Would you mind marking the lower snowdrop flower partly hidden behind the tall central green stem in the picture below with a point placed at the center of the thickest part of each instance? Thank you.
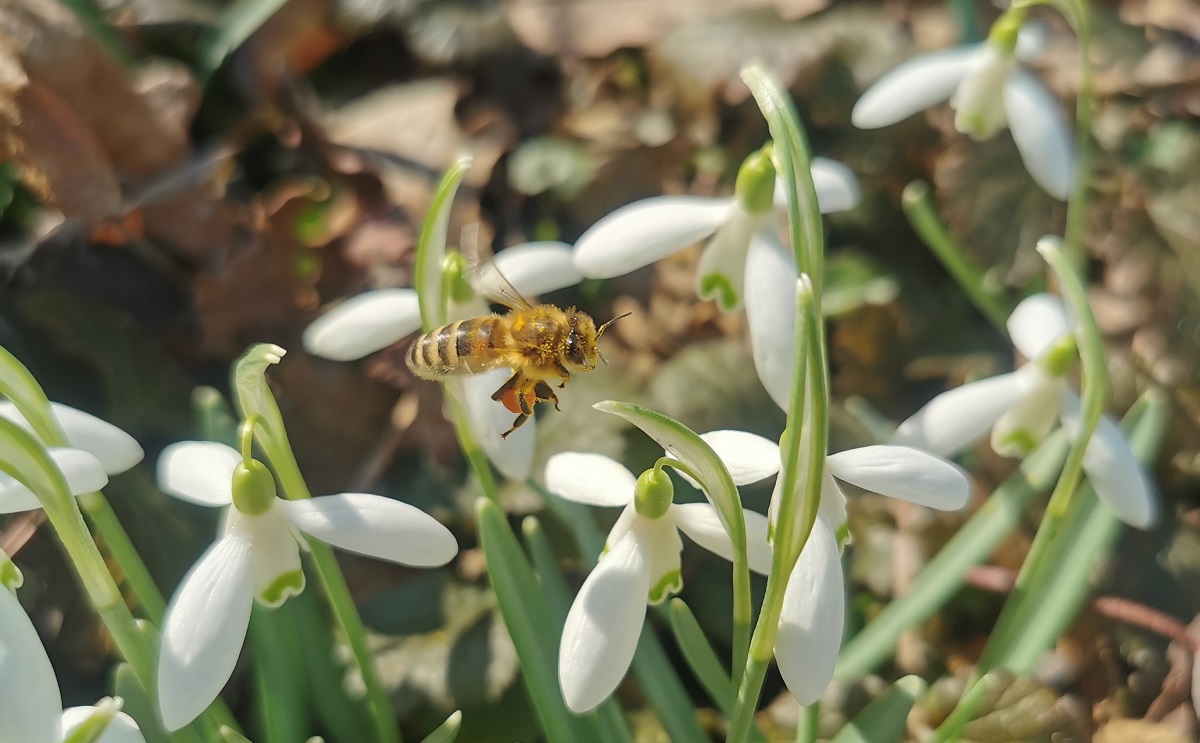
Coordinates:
(814, 602)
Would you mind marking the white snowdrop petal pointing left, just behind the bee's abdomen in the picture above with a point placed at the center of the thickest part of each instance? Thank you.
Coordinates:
(364, 325)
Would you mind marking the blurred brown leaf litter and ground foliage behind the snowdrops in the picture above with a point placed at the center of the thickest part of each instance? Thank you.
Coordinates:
(183, 178)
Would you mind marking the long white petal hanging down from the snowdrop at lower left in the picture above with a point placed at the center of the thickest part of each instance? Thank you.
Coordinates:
(203, 632)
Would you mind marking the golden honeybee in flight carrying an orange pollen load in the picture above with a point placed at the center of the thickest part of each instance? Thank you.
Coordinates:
(542, 344)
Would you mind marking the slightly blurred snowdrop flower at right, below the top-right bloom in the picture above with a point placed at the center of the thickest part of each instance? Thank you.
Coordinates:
(1022, 409)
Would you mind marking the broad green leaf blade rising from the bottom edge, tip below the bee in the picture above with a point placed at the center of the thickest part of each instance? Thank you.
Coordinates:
(529, 620)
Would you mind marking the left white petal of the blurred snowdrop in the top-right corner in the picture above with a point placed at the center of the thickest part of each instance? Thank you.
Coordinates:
(915, 86)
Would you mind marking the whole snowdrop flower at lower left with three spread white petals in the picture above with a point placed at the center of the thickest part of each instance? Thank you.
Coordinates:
(259, 559)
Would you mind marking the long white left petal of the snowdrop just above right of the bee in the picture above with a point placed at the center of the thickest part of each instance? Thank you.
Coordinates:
(644, 232)
